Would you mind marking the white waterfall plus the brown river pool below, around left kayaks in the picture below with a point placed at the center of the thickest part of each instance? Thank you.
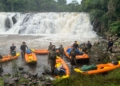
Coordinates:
(38, 29)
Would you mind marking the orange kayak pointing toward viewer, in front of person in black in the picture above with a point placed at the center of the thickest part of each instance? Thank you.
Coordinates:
(30, 58)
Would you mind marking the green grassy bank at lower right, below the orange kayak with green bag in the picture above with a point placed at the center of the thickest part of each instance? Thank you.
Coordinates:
(110, 79)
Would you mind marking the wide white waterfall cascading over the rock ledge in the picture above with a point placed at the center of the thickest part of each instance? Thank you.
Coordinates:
(55, 27)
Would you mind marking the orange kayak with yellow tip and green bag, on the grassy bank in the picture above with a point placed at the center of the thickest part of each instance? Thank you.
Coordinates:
(101, 68)
